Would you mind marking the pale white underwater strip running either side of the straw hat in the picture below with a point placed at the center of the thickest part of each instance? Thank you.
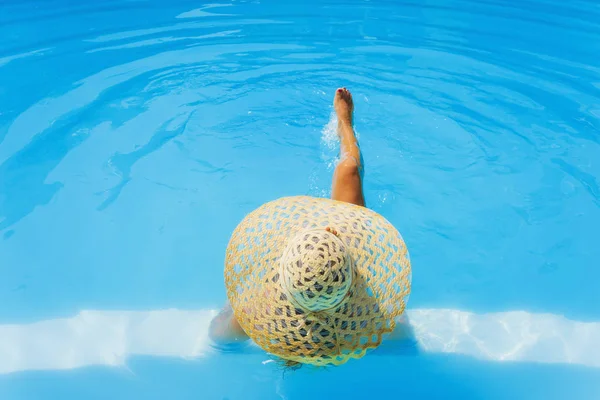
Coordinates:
(110, 337)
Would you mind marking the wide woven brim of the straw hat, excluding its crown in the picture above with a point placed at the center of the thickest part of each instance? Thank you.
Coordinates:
(379, 293)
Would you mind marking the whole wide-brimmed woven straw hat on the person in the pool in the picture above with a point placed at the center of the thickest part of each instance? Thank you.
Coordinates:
(306, 294)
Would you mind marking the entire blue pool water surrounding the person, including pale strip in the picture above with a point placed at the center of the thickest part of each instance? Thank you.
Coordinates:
(135, 134)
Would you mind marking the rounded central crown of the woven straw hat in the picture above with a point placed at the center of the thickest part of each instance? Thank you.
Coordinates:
(316, 270)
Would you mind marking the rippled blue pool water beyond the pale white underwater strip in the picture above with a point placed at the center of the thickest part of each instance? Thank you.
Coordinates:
(479, 122)
